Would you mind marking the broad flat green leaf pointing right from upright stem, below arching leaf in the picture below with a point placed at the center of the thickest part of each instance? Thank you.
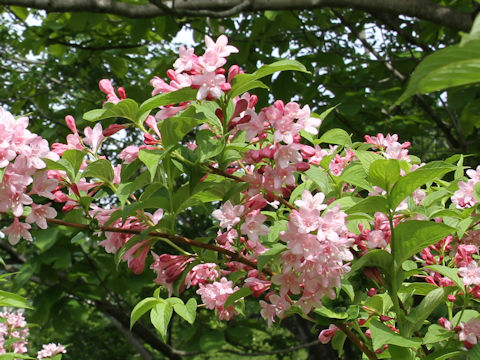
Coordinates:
(412, 236)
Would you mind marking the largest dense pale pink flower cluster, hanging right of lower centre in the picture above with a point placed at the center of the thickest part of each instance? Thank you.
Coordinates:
(318, 246)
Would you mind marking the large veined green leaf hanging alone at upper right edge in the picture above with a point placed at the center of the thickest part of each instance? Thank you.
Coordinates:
(446, 68)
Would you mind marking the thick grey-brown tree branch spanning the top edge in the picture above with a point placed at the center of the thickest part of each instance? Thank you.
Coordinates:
(422, 9)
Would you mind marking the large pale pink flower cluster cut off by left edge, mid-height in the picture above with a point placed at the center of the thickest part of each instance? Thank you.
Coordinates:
(21, 154)
